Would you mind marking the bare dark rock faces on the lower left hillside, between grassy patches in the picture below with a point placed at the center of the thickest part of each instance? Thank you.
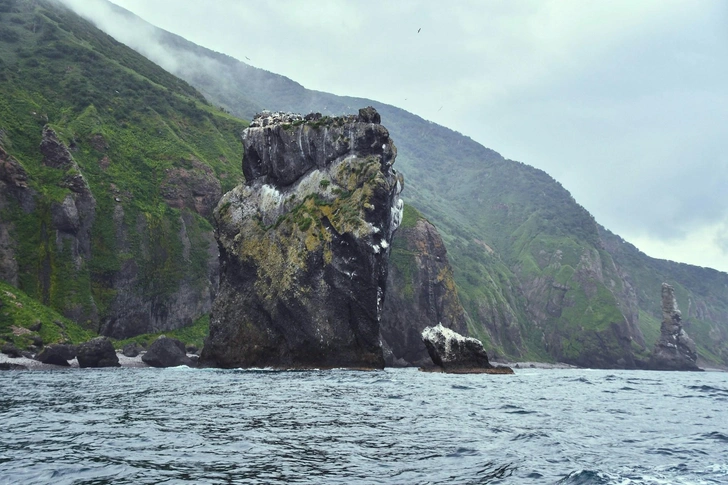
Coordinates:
(64, 236)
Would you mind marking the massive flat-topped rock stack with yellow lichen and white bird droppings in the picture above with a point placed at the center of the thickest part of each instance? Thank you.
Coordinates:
(304, 245)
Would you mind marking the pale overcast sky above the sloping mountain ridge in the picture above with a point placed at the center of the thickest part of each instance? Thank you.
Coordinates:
(624, 102)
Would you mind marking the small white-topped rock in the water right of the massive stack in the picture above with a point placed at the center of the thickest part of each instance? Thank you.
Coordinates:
(457, 354)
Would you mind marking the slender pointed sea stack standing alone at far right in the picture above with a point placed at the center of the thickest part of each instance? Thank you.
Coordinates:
(674, 350)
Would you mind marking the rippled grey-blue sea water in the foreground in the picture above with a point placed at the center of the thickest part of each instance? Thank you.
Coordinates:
(398, 426)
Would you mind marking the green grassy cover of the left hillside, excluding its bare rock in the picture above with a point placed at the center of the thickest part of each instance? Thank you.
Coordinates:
(107, 103)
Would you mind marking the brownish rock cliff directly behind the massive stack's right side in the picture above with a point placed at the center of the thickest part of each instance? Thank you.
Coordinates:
(421, 292)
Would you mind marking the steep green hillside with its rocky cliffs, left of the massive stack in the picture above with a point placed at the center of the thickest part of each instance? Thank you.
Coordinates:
(119, 238)
